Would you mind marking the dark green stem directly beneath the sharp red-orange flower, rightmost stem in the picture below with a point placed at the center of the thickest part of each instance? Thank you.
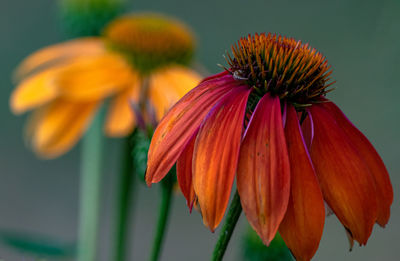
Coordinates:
(227, 230)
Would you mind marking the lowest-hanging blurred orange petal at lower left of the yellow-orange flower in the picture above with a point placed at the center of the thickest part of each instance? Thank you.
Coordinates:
(59, 126)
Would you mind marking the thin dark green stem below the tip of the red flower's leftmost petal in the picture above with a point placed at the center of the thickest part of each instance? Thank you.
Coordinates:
(166, 198)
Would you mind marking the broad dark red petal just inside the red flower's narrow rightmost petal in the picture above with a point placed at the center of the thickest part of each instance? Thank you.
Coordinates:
(345, 180)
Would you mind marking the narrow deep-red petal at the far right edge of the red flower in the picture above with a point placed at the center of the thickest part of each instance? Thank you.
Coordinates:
(384, 190)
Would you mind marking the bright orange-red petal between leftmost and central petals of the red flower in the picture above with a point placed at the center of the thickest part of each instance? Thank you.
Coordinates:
(216, 154)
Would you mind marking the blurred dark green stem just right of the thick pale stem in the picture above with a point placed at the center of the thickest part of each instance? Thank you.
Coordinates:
(124, 202)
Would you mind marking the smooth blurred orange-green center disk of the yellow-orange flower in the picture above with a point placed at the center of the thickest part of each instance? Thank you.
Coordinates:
(150, 41)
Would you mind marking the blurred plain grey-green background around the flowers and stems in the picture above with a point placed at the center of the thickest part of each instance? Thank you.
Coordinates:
(361, 40)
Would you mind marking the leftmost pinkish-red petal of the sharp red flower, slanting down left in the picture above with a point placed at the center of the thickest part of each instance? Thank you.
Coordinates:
(179, 124)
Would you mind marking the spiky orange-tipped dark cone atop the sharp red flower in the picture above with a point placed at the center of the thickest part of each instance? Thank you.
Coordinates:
(281, 66)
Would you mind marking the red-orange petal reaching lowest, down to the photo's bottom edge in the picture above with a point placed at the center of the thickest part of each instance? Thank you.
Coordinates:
(302, 226)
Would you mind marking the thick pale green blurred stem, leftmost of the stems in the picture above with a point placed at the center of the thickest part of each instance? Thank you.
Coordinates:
(90, 188)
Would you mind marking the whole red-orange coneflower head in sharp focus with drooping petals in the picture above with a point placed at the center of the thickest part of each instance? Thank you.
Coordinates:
(266, 118)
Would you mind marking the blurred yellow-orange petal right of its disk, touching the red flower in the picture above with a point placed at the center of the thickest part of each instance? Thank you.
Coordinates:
(167, 86)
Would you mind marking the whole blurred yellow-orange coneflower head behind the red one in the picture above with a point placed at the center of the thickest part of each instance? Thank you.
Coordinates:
(139, 56)
